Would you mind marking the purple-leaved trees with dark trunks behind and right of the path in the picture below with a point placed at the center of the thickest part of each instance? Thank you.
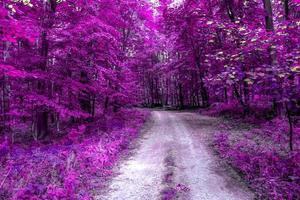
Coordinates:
(221, 51)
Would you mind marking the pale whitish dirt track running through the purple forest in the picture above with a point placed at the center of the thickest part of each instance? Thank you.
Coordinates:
(174, 162)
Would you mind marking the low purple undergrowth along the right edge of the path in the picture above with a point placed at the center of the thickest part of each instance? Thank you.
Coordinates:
(259, 152)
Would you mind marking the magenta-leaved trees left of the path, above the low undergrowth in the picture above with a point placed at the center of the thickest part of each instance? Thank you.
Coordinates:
(66, 62)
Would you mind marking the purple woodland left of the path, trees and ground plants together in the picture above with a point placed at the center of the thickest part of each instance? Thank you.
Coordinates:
(66, 84)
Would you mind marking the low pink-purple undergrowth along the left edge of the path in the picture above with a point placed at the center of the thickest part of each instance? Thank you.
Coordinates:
(60, 171)
